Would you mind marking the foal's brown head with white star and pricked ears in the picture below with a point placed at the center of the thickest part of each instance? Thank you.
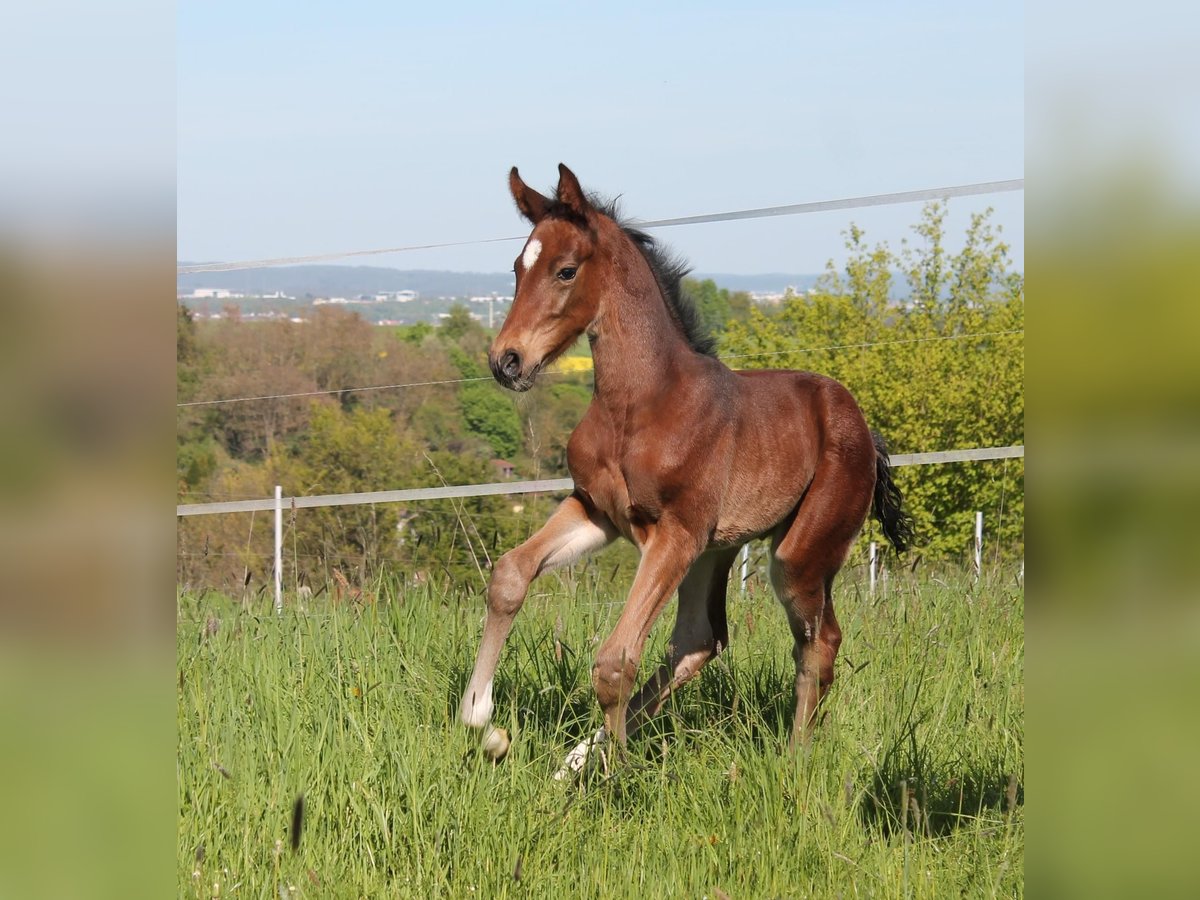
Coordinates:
(553, 305)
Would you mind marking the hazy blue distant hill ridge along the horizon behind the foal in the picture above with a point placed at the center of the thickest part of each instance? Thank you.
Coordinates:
(302, 281)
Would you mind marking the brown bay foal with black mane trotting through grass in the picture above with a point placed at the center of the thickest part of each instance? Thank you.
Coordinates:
(680, 455)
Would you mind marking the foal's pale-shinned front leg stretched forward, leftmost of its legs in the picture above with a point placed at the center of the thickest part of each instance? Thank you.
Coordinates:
(575, 529)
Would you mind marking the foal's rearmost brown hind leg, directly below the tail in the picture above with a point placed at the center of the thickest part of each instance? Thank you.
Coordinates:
(806, 559)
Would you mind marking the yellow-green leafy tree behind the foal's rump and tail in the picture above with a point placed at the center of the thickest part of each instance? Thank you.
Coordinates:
(943, 369)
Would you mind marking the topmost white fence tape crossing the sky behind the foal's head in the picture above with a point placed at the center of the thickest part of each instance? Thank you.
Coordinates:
(880, 200)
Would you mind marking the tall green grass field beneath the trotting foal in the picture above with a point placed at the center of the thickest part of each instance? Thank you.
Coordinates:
(911, 789)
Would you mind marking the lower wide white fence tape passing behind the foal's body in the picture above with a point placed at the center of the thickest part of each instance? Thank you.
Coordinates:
(541, 487)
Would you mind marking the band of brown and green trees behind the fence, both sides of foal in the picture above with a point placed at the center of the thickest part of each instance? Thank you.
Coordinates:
(941, 369)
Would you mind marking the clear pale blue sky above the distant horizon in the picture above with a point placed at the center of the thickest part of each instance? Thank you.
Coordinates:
(314, 128)
